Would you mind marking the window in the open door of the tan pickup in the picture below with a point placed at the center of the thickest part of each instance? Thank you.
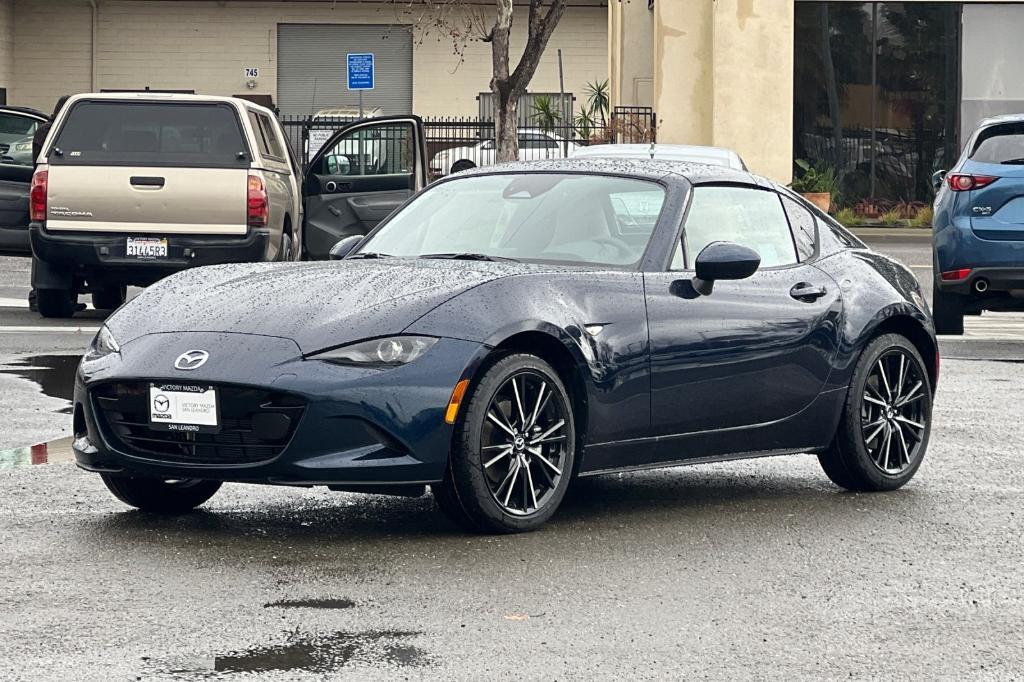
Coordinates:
(377, 150)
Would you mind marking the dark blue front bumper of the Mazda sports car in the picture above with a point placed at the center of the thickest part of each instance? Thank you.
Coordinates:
(356, 428)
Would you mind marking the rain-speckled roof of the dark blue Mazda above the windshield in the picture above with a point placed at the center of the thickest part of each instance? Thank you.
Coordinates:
(656, 169)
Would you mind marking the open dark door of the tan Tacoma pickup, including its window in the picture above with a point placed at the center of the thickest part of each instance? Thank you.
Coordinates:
(360, 177)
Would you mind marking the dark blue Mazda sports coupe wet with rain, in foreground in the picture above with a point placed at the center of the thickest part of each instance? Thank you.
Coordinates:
(511, 329)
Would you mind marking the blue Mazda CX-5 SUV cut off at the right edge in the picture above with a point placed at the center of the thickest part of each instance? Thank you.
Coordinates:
(979, 227)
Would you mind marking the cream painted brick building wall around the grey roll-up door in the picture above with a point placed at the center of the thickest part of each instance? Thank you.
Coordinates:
(206, 46)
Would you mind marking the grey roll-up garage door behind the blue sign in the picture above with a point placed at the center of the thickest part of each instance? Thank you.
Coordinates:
(312, 67)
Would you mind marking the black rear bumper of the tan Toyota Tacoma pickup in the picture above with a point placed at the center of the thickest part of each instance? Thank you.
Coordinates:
(101, 257)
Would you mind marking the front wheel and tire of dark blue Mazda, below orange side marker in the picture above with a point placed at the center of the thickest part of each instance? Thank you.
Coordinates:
(483, 489)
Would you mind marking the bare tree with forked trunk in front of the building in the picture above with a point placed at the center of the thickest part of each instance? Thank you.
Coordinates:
(464, 21)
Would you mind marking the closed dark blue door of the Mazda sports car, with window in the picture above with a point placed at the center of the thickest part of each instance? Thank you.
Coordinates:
(752, 353)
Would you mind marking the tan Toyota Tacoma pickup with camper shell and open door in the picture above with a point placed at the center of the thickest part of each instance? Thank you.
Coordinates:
(133, 188)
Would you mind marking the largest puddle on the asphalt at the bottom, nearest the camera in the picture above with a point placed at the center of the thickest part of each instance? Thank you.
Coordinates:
(325, 654)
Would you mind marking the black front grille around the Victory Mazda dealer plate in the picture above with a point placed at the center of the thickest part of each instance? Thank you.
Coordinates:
(255, 425)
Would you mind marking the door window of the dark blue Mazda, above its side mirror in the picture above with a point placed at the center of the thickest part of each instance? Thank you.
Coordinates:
(745, 216)
